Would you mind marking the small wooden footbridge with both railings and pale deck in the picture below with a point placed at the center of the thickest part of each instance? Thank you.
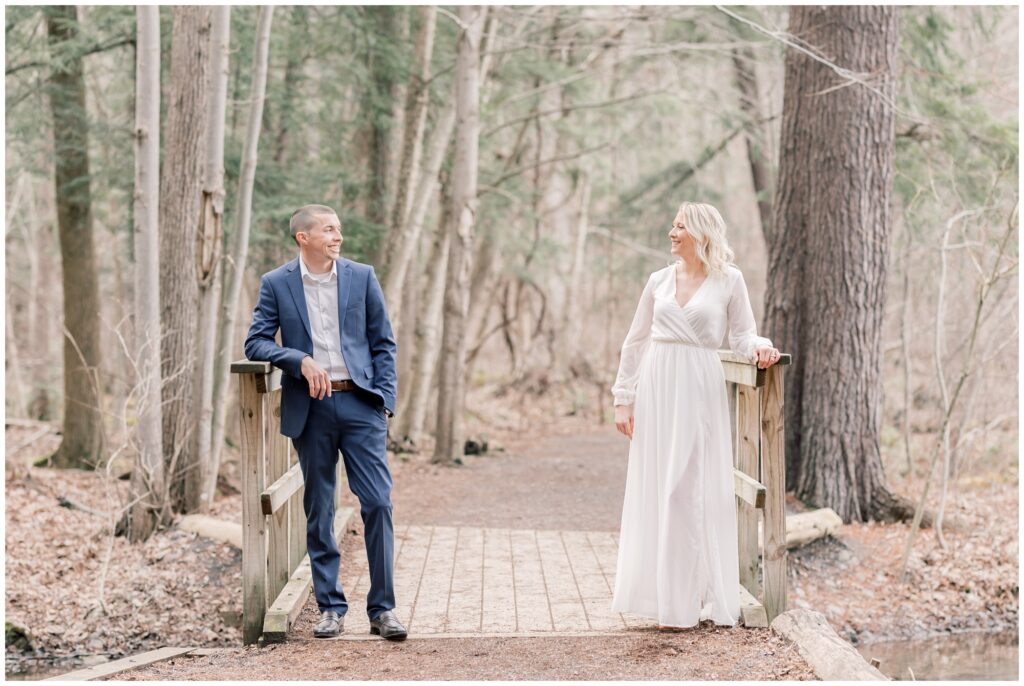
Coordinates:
(494, 582)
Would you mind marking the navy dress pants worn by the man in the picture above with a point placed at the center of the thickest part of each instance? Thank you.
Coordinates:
(356, 424)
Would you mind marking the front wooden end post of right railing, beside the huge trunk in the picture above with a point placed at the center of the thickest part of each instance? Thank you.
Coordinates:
(774, 478)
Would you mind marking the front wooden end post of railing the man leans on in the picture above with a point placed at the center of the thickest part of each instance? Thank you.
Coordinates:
(251, 410)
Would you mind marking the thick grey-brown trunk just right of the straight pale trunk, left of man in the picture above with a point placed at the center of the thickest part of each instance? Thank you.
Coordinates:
(181, 195)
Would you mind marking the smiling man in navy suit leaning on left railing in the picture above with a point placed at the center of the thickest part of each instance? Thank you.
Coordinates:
(338, 389)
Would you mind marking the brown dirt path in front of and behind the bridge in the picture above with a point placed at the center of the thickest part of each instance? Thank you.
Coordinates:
(558, 483)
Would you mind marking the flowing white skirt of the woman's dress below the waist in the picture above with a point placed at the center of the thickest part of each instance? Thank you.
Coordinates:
(678, 561)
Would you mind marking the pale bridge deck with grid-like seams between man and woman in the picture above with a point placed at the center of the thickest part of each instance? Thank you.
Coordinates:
(495, 582)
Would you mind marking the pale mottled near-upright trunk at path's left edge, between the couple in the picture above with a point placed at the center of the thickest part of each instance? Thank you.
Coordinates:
(461, 225)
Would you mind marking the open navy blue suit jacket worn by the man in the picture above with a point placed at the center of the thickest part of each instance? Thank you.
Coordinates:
(368, 345)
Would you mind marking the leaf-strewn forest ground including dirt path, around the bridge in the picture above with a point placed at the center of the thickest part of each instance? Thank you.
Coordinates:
(82, 596)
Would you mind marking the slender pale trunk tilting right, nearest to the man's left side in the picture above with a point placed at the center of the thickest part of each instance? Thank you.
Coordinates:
(240, 250)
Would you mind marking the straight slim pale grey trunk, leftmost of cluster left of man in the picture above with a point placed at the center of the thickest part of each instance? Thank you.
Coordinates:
(149, 486)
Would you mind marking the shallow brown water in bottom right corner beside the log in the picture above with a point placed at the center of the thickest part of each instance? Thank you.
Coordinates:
(972, 657)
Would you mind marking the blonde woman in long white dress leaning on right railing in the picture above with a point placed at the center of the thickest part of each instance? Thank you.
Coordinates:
(677, 550)
